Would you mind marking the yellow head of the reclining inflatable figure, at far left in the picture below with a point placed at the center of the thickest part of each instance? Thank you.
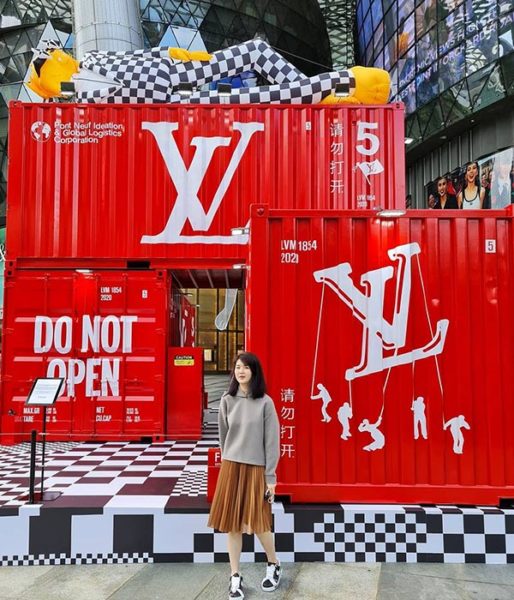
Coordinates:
(58, 67)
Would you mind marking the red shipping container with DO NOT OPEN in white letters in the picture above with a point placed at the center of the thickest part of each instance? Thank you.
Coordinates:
(105, 333)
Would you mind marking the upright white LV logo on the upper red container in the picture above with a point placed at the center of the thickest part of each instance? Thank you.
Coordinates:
(187, 182)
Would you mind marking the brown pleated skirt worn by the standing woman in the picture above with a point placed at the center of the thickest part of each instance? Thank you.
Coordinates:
(239, 504)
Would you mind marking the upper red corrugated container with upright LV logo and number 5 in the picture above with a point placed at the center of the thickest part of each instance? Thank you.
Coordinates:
(93, 181)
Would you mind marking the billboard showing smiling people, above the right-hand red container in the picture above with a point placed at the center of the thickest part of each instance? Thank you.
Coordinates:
(484, 183)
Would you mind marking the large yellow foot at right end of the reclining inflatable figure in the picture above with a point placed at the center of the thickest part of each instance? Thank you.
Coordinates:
(372, 86)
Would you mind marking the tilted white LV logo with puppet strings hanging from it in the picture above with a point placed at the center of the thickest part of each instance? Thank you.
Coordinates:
(379, 334)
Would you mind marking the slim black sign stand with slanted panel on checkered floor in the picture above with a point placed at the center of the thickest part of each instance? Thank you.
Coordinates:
(44, 392)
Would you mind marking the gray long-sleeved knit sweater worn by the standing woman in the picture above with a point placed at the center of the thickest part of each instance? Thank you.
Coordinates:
(249, 431)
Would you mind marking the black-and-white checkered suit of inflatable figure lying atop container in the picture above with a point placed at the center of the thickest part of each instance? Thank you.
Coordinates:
(151, 76)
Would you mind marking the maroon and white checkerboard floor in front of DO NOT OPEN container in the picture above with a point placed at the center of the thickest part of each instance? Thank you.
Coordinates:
(113, 474)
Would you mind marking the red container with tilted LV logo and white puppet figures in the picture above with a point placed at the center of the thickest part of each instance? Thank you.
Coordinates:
(387, 345)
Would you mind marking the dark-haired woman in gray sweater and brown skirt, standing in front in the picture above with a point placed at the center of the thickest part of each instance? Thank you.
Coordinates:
(249, 440)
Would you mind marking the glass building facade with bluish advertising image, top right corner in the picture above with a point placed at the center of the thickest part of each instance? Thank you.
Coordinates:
(448, 59)
